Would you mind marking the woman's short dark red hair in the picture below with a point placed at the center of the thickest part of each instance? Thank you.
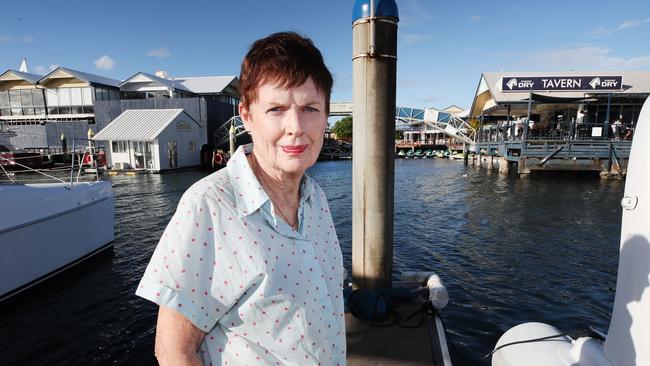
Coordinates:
(286, 58)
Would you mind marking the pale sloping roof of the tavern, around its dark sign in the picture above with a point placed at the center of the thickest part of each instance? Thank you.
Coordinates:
(636, 81)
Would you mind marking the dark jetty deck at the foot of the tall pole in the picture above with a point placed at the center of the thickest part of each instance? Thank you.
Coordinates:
(368, 344)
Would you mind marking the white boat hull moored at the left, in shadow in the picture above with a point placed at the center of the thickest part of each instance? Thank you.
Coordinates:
(46, 228)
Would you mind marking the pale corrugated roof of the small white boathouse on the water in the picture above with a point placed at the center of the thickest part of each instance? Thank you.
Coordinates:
(139, 124)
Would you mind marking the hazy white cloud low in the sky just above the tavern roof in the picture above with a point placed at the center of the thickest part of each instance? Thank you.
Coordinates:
(585, 58)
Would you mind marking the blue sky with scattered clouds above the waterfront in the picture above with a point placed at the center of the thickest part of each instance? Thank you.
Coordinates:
(443, 46)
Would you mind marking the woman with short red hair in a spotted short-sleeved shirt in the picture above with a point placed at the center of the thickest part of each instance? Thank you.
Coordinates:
(249, 269)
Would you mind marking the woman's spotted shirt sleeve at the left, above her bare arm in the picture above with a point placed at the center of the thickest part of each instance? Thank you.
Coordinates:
(182, 274)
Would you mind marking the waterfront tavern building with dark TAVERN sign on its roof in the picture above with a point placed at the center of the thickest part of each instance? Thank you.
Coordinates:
(584, 100)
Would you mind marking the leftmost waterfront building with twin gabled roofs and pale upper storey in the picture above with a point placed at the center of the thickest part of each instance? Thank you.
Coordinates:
(40, 109)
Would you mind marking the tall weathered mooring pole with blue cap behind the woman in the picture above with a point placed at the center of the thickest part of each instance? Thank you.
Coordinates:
(374, 65)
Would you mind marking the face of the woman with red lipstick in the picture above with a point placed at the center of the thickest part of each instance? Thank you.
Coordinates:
(287, 127)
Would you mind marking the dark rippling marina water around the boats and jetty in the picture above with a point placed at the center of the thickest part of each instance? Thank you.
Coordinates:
(510, 251)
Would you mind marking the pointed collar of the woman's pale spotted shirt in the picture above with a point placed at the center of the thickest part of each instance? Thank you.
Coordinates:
(248, 192)
